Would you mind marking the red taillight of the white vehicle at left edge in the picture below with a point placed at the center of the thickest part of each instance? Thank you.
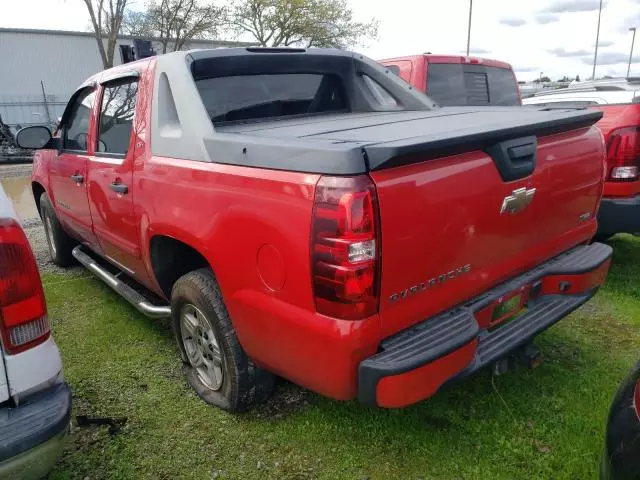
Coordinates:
(23, 311)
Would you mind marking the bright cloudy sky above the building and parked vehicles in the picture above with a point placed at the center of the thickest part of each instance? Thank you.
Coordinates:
(553, 37)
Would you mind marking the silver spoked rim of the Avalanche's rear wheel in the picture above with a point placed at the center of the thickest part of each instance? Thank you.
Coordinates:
(201, 346)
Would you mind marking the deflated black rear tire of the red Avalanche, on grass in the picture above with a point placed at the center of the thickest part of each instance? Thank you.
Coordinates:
(243, 383)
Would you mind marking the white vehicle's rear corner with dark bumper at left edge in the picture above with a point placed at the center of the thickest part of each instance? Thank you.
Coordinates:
(35, 402)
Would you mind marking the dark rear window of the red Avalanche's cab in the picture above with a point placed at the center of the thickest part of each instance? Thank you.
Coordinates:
(252, 97)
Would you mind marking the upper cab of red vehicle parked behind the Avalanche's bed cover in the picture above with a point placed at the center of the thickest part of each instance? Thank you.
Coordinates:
(453, 80)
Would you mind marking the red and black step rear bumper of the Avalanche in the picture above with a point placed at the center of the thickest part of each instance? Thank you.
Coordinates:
(413, 364)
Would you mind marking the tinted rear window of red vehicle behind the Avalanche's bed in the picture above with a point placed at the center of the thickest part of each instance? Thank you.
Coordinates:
(460, 84)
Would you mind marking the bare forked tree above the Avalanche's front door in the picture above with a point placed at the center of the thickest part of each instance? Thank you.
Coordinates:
(106, 20)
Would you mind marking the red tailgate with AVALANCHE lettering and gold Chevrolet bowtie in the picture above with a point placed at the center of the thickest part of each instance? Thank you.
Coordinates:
(445, 237)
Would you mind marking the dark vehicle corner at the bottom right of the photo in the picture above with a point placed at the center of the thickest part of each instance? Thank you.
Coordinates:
(621, 460)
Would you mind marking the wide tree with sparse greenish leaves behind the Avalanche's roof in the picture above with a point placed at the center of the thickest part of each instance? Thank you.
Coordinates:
(308, 23)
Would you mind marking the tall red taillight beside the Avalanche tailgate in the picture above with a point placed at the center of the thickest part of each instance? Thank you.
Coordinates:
(345, 247)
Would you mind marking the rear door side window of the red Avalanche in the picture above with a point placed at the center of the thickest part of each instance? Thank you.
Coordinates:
(116, 116)
